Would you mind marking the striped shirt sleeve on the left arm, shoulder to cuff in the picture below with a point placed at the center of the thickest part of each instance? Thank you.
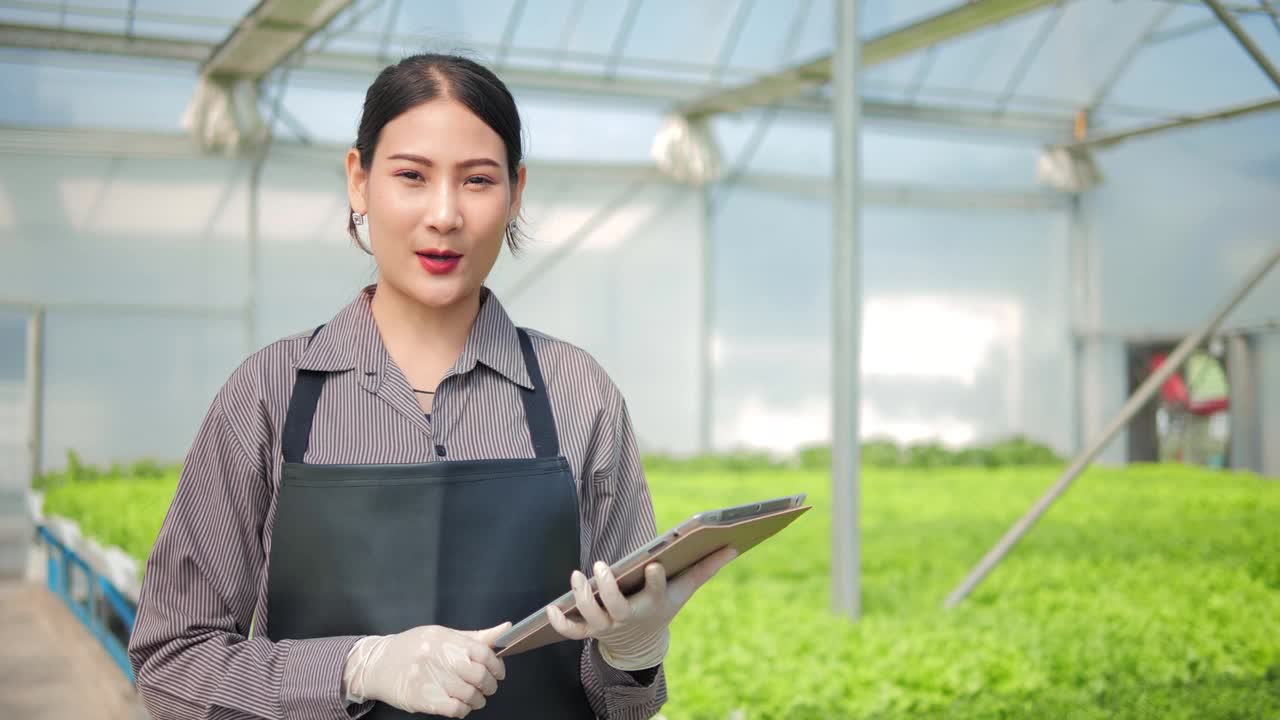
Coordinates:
(190, 653)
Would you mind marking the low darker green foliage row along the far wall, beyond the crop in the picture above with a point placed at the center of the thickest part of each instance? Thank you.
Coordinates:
(1016, 452)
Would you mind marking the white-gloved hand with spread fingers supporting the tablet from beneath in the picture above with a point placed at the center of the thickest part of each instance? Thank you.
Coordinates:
(632, 631)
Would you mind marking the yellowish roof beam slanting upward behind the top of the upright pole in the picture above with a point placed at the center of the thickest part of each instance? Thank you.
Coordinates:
(775, 88)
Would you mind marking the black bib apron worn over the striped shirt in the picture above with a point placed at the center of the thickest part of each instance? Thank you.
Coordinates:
(468, 545)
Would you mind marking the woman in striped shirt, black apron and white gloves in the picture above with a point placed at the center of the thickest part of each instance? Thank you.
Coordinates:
(369, 505)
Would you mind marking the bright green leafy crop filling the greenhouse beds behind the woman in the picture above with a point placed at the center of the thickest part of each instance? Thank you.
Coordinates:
(1145, 593)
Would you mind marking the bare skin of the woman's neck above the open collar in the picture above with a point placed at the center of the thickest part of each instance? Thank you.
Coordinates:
(423, 340)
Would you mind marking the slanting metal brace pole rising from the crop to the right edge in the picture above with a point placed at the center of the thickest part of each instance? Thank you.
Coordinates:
(1140, 398)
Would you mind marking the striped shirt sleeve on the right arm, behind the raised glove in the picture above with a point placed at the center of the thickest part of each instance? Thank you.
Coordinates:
(620, 517)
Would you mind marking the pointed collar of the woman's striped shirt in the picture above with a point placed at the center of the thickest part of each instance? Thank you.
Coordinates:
(351, 341)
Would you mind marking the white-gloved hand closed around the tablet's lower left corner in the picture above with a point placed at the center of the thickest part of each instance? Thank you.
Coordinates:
(427, 669)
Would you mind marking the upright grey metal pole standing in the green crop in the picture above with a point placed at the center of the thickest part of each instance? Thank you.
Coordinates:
(847, 315)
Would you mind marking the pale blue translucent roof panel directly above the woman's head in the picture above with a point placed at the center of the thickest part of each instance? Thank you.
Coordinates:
(637, 39)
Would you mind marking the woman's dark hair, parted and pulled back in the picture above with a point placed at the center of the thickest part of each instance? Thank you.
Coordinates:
(422, 79)
